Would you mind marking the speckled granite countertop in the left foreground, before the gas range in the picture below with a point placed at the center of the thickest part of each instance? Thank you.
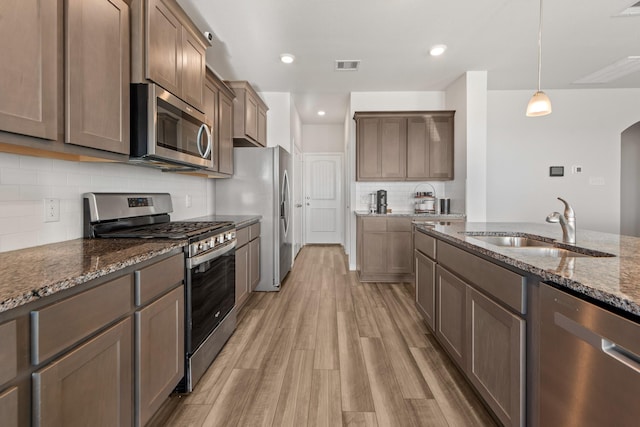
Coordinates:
(27, 275)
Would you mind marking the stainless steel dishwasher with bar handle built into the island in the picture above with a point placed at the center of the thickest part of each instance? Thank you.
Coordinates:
(589, 364)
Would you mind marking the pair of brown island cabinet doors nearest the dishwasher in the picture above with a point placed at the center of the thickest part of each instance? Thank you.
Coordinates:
(486, 341)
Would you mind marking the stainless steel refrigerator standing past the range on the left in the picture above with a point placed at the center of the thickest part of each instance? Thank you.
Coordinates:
(260, 186)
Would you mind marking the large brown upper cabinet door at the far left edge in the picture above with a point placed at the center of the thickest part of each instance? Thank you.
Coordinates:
(29, 67)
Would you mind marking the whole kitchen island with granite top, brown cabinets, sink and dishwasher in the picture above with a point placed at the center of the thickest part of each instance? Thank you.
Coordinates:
(533, 322)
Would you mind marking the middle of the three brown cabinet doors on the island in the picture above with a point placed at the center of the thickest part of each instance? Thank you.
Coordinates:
(450, 312)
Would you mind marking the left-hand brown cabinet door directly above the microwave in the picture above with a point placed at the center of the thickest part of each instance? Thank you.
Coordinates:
(164, 47)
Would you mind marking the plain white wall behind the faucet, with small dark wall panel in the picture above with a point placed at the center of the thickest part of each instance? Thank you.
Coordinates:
(584, 129)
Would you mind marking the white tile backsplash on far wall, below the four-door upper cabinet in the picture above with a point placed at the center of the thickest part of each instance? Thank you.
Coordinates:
(400, 195)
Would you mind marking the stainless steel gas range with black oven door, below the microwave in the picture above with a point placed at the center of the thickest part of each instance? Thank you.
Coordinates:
(210, 318)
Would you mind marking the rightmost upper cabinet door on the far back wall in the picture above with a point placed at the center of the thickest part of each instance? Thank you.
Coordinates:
(441, 147)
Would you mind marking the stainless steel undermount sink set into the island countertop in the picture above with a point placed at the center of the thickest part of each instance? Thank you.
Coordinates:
(534, 245)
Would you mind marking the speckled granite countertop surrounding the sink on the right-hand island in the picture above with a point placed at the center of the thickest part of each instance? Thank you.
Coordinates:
(614, 281)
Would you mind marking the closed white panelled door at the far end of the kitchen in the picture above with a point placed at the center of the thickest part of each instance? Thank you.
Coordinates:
(323, 202)
